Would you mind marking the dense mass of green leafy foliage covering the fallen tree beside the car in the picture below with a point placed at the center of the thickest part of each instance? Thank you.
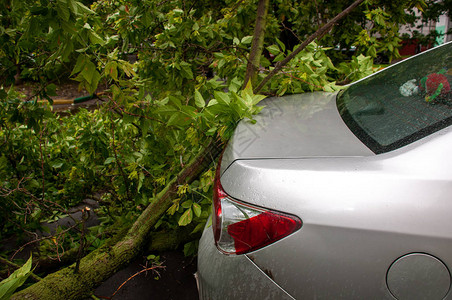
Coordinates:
(185, 87)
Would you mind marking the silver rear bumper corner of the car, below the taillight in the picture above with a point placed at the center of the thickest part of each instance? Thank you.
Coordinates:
(221, 276)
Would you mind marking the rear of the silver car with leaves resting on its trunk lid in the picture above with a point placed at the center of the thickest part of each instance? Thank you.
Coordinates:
(339, 196)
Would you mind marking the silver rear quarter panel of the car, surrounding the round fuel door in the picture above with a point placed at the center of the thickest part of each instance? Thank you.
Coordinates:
(359, 211)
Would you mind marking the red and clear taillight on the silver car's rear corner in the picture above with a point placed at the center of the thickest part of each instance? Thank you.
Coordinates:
(241, 228)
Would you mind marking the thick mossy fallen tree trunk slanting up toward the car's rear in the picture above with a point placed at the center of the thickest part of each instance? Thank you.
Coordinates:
(104, 262)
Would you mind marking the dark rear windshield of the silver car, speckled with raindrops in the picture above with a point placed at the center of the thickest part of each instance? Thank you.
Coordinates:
(403, 103)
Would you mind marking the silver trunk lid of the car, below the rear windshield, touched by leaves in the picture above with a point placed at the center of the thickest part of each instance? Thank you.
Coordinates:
(296, 126)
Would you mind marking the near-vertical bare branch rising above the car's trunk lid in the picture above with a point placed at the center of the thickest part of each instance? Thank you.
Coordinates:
(257, 45)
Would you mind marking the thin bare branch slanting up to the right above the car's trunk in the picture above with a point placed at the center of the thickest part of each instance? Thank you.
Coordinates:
(327, 27)
